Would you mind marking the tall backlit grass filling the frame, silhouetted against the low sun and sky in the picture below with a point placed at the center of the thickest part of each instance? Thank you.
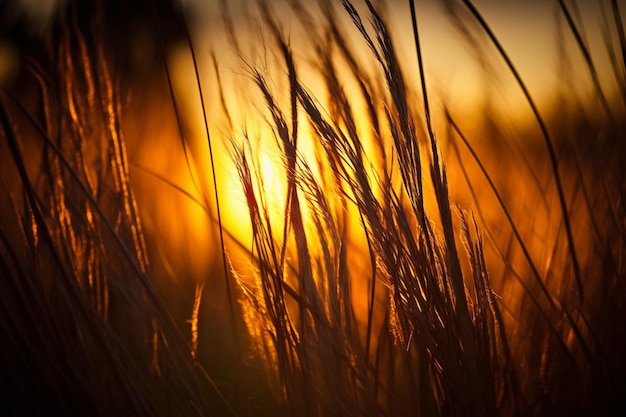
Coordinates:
(376, 287)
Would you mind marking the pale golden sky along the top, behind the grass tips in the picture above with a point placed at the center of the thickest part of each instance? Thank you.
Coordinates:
(528, 30)
